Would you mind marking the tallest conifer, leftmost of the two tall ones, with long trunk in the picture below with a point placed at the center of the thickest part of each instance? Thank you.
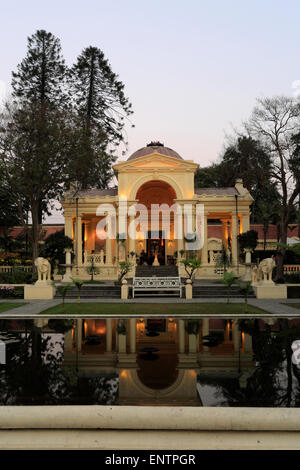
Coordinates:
(39, 85)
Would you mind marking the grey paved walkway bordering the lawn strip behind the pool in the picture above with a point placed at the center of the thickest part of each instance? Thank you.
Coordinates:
(35, 307)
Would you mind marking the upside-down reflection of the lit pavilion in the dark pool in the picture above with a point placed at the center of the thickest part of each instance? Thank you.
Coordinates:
(167, 374)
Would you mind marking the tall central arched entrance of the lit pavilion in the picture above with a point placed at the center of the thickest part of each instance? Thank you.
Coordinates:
(158, 240)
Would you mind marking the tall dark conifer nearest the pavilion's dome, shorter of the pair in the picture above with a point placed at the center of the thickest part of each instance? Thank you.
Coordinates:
(99, 100)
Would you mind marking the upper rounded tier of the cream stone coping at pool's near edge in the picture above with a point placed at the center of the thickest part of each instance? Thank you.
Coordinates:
(150, 417)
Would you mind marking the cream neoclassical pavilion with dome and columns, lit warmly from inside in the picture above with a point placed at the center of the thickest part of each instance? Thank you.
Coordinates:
(155, 175)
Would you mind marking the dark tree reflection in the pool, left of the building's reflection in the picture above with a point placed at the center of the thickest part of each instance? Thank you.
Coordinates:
(35, 375)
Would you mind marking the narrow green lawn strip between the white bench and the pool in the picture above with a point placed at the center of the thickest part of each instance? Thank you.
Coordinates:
(155, 309)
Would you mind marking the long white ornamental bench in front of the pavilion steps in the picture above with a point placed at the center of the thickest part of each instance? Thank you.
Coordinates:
(156, 285)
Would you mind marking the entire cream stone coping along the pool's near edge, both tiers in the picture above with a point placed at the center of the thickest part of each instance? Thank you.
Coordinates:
(148, 427)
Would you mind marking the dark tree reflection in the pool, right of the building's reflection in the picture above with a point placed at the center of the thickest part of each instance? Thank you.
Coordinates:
(276, 380)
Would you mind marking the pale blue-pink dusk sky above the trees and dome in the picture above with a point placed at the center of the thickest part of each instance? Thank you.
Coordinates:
(192, 69)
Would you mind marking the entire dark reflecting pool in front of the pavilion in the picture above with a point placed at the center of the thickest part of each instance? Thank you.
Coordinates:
(150, 361)
